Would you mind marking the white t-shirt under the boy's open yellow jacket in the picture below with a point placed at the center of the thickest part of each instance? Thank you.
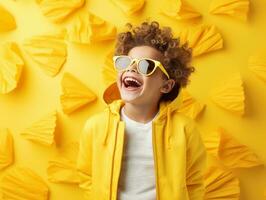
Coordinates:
(137, 178)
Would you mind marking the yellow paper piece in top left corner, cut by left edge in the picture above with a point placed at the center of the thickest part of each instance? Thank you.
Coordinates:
(7, 21)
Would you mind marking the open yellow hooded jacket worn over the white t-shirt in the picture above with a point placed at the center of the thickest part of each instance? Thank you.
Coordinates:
(179, 154)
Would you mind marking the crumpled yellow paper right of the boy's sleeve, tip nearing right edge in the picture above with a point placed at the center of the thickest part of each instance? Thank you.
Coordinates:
(229, 151)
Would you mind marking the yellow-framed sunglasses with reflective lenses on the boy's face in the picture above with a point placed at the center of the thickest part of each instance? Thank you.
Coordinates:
(145, 66)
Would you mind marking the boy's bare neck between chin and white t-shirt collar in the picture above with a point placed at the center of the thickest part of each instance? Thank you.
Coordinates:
(141, 113)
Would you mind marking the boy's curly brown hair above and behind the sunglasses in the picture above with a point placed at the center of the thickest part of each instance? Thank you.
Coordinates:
(176, 57)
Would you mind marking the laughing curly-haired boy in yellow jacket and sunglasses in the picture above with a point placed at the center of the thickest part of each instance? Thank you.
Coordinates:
(141, 147)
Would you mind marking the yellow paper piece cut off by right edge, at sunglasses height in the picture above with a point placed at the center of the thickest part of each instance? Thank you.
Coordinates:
(257, 64)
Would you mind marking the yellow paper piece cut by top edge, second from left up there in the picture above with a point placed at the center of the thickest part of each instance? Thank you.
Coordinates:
(129, 7)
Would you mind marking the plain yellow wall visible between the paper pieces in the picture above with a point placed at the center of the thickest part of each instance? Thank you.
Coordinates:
(37, 94)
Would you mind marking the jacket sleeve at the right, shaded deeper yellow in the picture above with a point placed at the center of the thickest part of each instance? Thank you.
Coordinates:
(196, 163)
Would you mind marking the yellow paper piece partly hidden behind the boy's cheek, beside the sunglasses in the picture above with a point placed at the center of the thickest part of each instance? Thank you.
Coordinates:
(108, 72)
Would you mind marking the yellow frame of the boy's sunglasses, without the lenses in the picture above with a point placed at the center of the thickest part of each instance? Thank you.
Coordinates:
(157, 64)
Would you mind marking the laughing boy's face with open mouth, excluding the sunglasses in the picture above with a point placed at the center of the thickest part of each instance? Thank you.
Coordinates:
(148, 89)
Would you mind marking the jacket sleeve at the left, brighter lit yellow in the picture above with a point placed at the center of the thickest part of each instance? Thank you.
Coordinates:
(84, 160)
